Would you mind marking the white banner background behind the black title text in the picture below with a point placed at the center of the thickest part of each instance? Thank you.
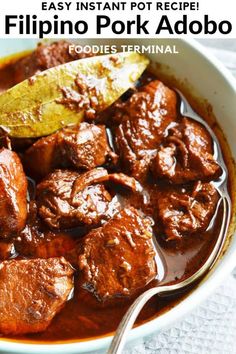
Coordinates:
(216, 10)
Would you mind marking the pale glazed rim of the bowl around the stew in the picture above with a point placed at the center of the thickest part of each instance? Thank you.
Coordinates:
(166, 319)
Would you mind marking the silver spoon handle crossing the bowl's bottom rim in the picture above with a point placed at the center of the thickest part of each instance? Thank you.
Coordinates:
(129, 318)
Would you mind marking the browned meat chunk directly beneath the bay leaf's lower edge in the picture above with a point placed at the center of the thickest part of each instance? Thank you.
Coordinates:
(83, 147)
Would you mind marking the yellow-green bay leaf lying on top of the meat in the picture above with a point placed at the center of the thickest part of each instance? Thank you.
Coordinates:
(64, 94)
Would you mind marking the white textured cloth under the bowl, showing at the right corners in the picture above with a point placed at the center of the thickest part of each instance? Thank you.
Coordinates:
(211, 328)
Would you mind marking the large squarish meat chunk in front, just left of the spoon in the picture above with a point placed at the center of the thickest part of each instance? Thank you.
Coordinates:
(118, 259)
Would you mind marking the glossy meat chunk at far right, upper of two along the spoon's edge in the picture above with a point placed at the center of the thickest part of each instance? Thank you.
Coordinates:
(187, 155)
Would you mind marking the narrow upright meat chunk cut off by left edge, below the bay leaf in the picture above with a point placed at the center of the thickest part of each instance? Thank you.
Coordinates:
(13, 193)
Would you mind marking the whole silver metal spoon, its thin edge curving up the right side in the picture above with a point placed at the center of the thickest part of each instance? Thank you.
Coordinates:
(128, 320)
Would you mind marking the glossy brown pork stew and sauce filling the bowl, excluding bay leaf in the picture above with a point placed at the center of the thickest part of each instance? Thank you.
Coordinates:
(97, 212)
